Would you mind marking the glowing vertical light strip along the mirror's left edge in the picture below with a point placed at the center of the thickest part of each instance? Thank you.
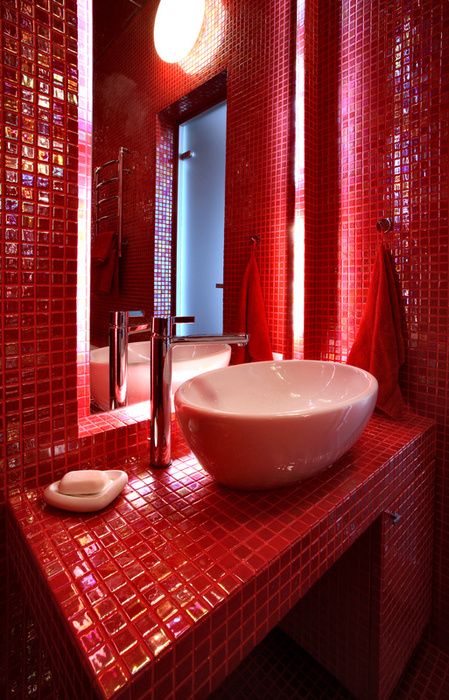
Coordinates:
(85, 57)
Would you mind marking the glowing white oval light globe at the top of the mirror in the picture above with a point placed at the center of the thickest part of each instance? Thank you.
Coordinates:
(177, 27)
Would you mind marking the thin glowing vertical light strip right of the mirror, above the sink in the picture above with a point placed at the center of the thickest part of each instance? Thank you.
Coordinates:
(298, 231)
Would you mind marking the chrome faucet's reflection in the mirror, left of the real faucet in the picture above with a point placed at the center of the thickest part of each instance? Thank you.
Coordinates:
(119, 330)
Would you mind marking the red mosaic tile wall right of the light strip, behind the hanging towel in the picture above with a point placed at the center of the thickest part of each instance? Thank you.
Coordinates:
(382, 151)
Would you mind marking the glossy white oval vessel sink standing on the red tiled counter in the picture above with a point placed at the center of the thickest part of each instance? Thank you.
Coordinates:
(267, 424)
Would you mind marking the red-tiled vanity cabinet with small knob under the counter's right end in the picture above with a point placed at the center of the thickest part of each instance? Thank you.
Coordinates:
(364, 617)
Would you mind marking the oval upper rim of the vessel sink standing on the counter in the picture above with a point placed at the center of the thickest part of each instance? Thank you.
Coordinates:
(181, 398)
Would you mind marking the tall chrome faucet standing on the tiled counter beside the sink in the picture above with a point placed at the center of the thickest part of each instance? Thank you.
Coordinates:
(163, 339)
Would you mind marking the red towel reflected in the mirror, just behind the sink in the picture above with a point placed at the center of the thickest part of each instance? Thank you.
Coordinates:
(252, 318)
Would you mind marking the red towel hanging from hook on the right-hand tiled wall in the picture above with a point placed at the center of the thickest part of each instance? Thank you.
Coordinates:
(379, 346)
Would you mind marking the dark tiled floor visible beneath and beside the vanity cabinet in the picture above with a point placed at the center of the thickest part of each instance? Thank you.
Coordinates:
(279, 670)
